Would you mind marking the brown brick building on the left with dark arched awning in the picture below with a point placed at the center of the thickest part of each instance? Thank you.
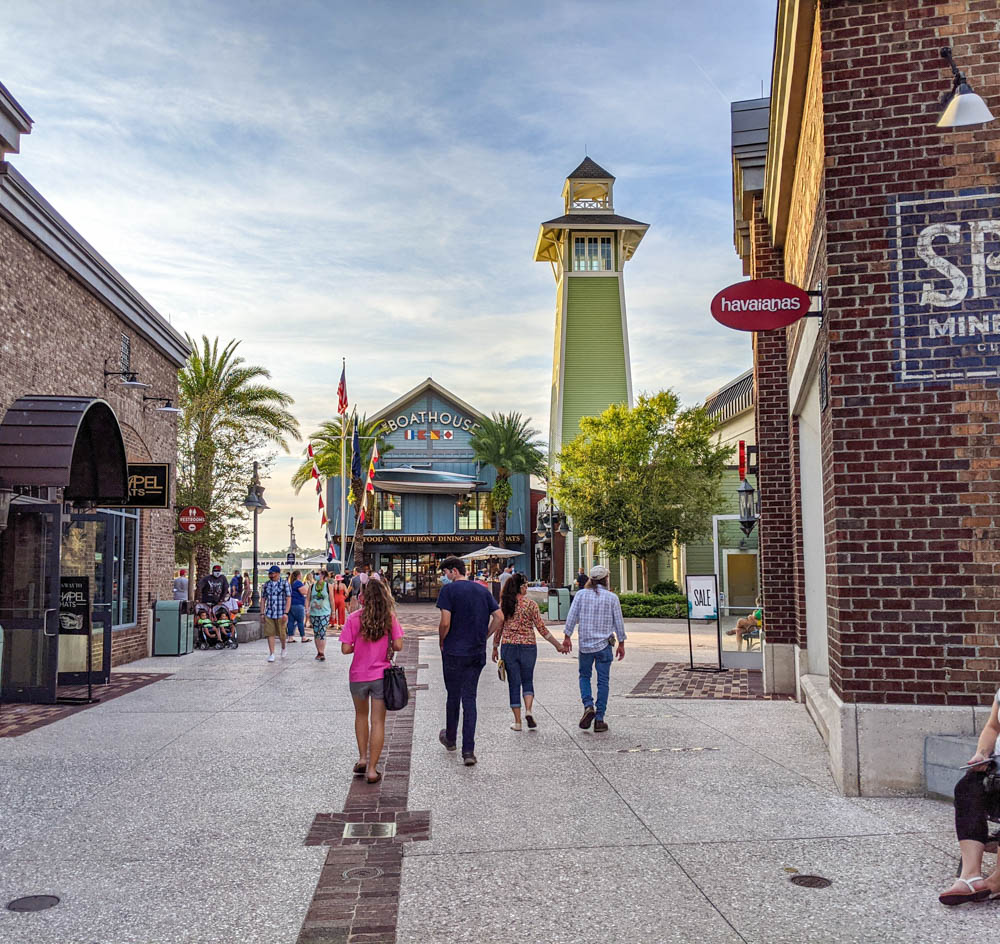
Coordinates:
(87, 375)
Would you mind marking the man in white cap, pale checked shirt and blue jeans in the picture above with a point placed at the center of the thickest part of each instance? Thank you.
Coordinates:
(598, 612)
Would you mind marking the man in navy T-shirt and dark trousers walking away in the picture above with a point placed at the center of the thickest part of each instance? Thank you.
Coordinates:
(469, 615)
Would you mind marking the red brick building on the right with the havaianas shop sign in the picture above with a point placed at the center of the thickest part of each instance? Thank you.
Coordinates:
(878, 424)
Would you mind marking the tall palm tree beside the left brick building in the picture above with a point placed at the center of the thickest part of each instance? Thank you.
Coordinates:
(222, 397)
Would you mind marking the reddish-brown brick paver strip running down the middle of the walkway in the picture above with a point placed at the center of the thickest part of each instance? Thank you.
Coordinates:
(357, 896)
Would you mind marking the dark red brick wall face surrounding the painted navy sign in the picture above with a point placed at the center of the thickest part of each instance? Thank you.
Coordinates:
(912, 498)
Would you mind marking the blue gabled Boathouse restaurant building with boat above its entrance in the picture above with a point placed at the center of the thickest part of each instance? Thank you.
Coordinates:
(431, 496)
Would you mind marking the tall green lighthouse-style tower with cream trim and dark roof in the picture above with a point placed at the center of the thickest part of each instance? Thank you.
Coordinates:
(587, 248)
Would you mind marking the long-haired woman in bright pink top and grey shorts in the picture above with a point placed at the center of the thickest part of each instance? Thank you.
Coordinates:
(368, 635)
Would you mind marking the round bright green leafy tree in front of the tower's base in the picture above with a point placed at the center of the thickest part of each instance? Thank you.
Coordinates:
(640, 478)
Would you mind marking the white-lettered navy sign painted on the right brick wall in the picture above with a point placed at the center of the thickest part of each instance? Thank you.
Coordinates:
(947, 291)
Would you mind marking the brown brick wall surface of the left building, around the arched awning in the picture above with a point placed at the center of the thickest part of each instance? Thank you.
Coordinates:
(54, 339)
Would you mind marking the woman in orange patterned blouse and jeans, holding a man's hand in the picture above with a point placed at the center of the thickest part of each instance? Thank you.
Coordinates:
(515, 644)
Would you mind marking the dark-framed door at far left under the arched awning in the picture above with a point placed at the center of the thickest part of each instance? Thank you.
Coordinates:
(29, 602)
